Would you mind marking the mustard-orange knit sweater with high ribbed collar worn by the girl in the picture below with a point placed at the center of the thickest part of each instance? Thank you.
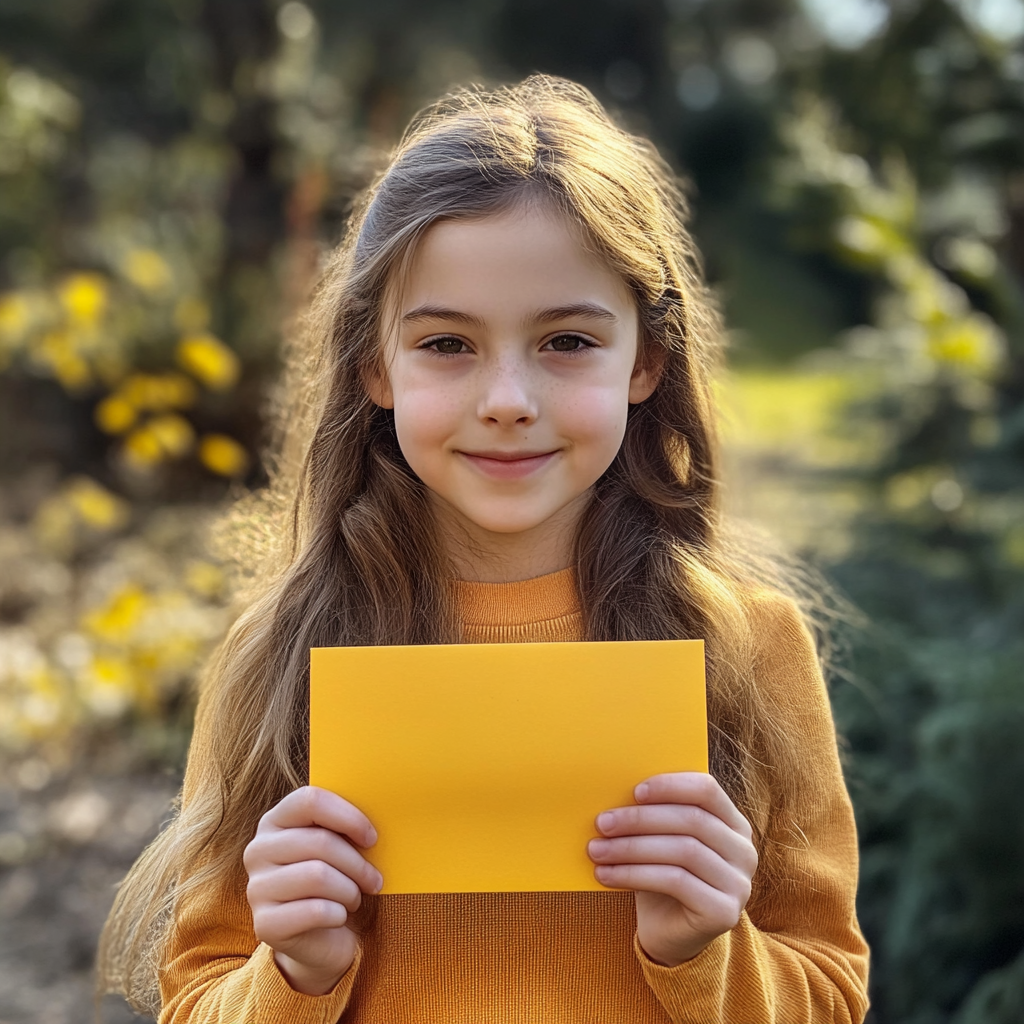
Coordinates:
(570, 958)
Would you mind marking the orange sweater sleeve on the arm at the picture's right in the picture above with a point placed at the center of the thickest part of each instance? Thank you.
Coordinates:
(797, 954)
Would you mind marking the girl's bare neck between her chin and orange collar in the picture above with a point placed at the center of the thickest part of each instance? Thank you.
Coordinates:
(482, 557)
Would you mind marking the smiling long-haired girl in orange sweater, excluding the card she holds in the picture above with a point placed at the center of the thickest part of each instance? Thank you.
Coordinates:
(508, 437)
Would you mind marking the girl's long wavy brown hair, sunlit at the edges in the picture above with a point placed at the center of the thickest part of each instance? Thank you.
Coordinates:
(653, 562)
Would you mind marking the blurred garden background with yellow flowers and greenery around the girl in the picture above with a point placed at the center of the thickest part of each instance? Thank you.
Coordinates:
(173, 170)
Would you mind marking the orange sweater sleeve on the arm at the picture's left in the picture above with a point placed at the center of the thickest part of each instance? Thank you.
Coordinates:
(215, 970)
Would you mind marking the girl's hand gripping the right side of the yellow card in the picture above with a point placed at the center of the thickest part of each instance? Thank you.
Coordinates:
(687, 851)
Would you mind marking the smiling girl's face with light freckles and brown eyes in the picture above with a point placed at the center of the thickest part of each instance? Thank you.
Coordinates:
(510, 367)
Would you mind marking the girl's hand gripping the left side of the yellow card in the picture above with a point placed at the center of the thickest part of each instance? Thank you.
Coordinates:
(306, 877)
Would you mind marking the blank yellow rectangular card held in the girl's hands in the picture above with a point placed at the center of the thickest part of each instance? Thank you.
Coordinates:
(483, 766)
